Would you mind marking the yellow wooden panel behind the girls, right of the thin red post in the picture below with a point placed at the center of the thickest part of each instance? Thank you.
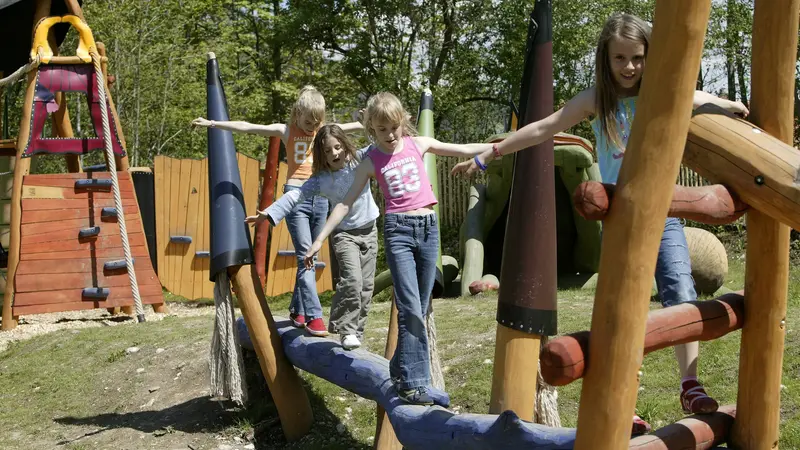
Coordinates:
(282, 268)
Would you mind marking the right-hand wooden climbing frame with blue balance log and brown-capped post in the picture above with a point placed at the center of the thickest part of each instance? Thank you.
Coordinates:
(756, 164)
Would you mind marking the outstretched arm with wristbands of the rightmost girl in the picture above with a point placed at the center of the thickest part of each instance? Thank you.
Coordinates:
(578, 108)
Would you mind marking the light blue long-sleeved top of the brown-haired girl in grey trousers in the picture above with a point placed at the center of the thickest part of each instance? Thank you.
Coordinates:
(333, 186)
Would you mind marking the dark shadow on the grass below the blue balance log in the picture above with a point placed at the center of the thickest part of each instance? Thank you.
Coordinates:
(209, 416)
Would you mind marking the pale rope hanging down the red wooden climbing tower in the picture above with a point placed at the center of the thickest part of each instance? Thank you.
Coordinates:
(112, 169)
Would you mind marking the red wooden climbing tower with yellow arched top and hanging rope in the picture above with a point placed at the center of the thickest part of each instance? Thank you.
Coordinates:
(68, 231)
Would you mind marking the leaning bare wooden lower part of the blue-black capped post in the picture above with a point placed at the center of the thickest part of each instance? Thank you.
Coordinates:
(283, 381)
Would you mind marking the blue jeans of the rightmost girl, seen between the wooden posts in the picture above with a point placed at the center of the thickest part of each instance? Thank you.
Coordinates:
(673, 267)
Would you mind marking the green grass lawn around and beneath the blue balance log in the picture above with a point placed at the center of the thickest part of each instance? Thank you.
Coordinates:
(79, 390)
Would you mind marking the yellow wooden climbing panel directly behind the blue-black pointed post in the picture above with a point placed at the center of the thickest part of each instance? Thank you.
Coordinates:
(182, 205)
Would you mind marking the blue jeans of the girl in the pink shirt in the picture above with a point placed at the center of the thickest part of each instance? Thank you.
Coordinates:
(412, 249)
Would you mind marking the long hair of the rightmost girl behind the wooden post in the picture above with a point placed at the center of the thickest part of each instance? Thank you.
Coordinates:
(621, 26)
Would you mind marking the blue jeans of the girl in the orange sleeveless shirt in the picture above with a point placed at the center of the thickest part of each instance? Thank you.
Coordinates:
(305, 223)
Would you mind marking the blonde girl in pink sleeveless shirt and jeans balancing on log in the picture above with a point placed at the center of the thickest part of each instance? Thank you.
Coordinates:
(411, 236)
